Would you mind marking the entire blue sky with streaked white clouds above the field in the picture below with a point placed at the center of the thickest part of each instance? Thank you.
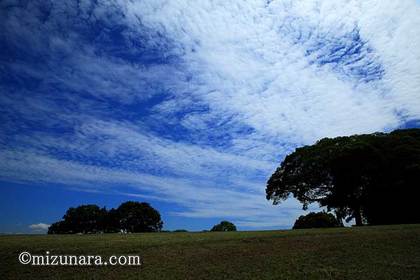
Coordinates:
(189, 105)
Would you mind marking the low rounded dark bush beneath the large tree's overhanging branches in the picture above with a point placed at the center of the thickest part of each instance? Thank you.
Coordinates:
(317, 220)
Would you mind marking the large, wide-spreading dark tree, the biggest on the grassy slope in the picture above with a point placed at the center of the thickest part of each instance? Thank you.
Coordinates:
(372, 177)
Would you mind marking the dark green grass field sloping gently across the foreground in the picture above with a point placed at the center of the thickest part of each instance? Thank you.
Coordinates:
(383, 252)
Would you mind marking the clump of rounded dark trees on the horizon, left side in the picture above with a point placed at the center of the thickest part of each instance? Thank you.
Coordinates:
(128, 217)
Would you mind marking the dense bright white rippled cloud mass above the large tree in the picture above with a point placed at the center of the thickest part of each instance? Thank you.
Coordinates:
(251, 62)
